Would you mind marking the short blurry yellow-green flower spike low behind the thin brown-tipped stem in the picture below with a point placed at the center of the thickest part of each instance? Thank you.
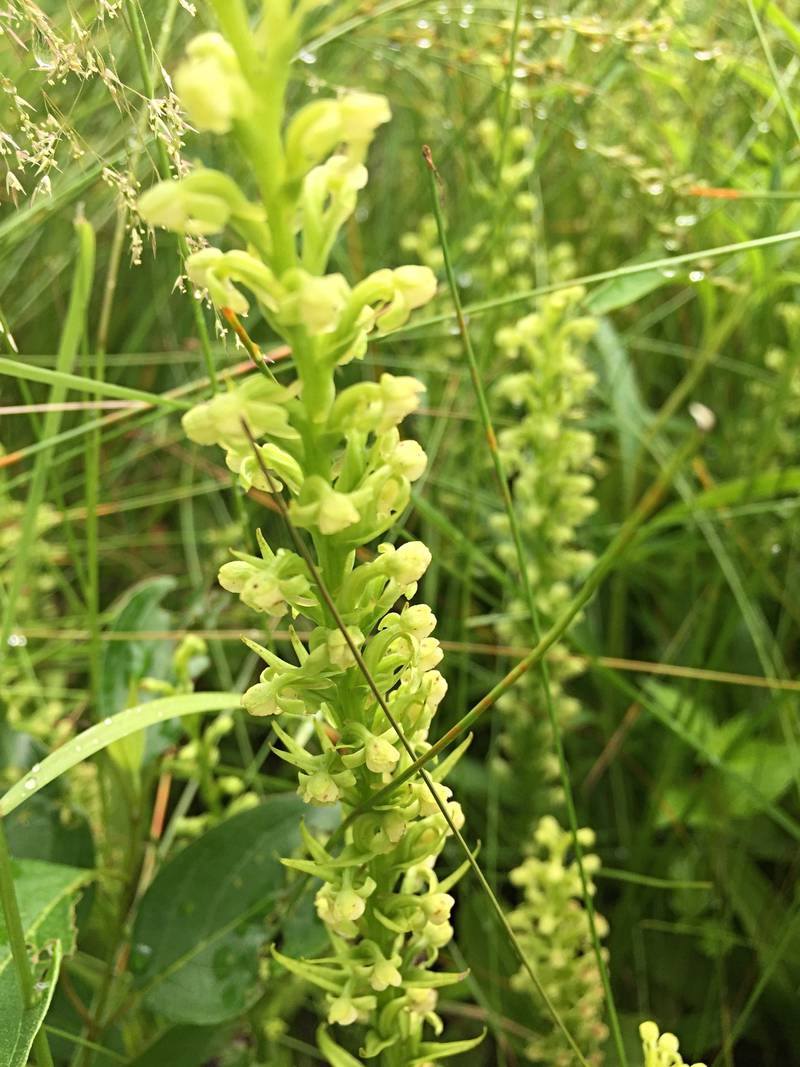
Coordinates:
(553, 929)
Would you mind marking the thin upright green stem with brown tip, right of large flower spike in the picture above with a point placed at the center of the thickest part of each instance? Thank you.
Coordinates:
(531, 601)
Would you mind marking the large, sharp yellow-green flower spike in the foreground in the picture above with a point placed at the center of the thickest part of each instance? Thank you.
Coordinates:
(339, 454)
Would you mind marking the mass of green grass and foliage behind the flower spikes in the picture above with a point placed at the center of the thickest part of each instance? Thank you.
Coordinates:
(654, 132)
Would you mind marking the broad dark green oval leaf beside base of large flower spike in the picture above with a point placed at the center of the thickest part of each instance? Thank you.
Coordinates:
(200, 927)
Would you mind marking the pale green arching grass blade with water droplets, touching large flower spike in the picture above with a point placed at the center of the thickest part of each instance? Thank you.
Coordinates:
(105, 734)
